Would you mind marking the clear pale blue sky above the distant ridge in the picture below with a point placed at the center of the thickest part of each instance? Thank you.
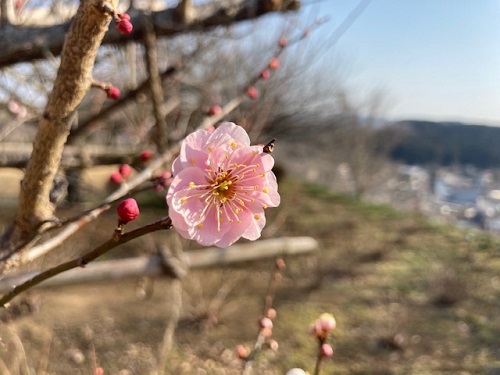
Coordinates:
(435, 59)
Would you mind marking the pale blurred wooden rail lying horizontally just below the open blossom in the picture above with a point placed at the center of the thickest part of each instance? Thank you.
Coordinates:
(154, 266)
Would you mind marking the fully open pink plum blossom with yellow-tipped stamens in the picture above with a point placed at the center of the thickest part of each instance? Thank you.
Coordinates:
(221, 187)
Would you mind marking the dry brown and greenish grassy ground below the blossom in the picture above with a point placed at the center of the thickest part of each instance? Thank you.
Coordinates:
(380, 272)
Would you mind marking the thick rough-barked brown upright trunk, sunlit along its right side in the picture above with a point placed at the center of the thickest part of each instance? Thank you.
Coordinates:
(72, 82)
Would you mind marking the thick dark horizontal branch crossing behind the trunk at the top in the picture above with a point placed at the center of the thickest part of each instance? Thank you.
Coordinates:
(31, 43)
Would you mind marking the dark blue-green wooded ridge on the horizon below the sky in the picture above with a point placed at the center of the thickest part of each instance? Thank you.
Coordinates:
(447, 143)
